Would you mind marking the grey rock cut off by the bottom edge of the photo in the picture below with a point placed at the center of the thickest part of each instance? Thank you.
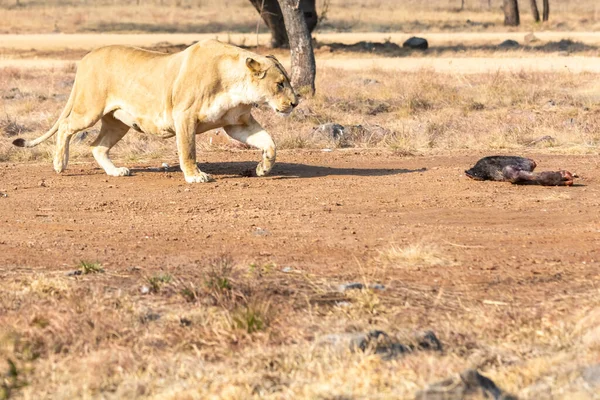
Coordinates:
(466, 385)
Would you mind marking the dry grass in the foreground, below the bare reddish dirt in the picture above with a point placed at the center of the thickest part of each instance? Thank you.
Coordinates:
(249, 332)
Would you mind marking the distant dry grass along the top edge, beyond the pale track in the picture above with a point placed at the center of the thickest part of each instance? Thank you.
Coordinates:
(206, 16)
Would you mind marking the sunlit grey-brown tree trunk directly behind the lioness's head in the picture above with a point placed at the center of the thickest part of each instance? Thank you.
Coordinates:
(303, 58)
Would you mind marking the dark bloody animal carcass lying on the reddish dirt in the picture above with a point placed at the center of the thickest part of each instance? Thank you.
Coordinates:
(517, 170)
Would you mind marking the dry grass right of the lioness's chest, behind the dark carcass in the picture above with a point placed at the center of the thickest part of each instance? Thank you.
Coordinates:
(425, 112)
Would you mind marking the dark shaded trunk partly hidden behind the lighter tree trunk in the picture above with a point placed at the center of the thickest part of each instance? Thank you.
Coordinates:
(270, 12)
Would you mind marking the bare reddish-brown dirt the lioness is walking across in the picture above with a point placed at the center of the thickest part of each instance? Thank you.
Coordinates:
(321, 212)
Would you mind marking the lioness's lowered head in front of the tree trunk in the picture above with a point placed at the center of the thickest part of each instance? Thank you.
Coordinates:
(273, 84)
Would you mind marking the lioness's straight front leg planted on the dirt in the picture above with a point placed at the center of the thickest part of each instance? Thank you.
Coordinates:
(185, 132)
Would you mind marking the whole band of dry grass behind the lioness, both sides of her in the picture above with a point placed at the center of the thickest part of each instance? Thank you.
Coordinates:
(410, 113)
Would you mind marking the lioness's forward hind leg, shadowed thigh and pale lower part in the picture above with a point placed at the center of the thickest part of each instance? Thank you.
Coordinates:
(111, 132)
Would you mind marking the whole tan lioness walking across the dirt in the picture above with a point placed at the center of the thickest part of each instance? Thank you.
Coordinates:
(208, 85)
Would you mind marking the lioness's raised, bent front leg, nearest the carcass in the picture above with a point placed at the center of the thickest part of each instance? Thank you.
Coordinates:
(250, 132)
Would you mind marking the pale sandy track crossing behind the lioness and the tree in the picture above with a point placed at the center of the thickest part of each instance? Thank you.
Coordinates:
(456, 53)
